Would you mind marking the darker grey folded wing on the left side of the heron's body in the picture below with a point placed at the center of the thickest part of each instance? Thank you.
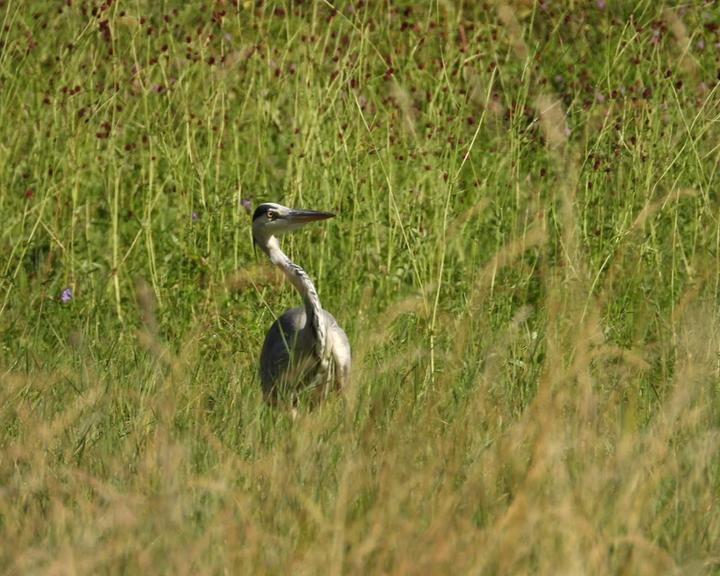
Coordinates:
(281, 339)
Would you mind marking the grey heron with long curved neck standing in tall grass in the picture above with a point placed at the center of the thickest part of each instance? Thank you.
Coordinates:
(305, 351)
